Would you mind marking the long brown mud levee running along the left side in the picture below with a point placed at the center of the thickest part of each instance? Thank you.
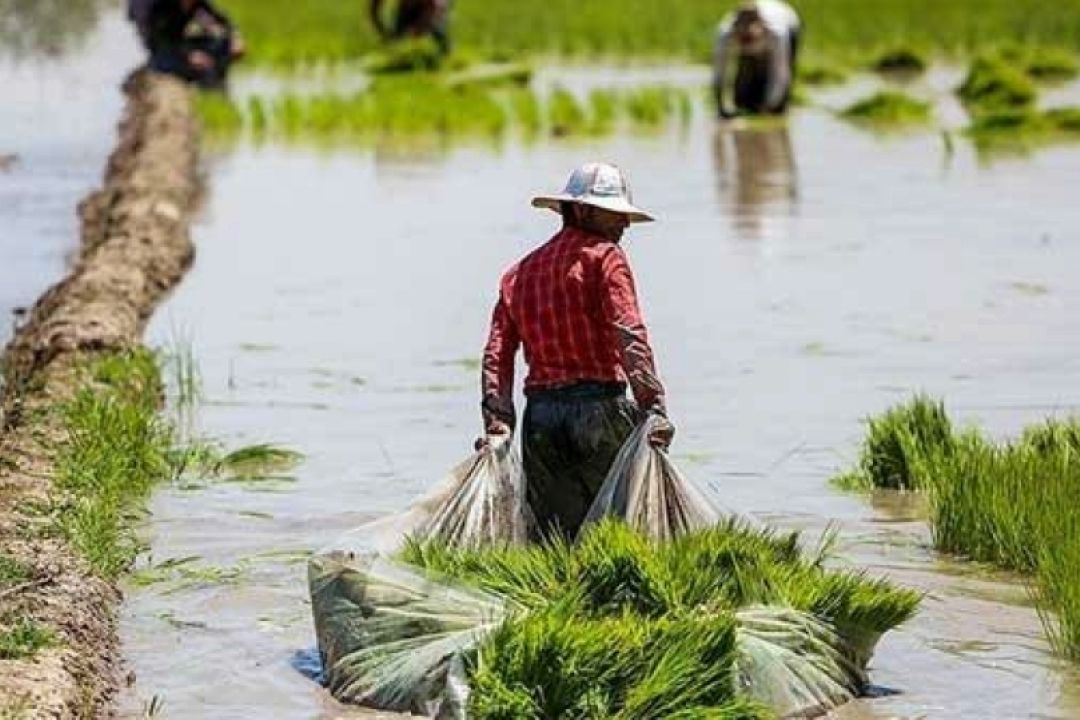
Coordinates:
(136, 248)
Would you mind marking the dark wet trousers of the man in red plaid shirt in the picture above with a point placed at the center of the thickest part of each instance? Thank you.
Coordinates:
(570, 439)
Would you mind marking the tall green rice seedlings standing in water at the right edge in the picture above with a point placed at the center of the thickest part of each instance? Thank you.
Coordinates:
(1011, 505)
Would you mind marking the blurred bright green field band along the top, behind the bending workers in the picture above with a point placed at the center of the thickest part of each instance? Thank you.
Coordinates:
(331, 31)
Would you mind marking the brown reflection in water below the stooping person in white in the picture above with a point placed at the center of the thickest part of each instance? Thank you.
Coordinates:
(757, 175)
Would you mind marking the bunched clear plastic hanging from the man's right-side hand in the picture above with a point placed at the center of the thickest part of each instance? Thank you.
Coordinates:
(646, 490)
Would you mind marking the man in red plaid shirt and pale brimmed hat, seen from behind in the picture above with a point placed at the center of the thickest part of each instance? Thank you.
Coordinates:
(573, 305)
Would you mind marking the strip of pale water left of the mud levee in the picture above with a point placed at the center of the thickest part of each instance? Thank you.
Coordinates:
(59, 113)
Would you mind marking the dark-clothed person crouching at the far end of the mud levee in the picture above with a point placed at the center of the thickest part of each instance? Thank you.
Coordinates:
(191, 39)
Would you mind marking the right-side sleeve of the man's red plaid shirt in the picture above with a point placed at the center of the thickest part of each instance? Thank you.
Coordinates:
(619, 303)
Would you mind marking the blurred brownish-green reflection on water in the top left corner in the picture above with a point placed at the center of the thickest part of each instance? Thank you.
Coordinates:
(47, 28)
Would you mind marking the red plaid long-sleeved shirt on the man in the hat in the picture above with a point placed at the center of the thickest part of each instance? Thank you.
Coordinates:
(574, 306)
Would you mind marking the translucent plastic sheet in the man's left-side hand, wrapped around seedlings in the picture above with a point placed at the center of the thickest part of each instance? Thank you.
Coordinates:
(389, 636)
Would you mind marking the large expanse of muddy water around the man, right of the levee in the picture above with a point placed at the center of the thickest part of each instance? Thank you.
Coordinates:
(802, 278)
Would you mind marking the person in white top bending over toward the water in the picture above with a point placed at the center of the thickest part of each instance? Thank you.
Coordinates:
(763, 36)
